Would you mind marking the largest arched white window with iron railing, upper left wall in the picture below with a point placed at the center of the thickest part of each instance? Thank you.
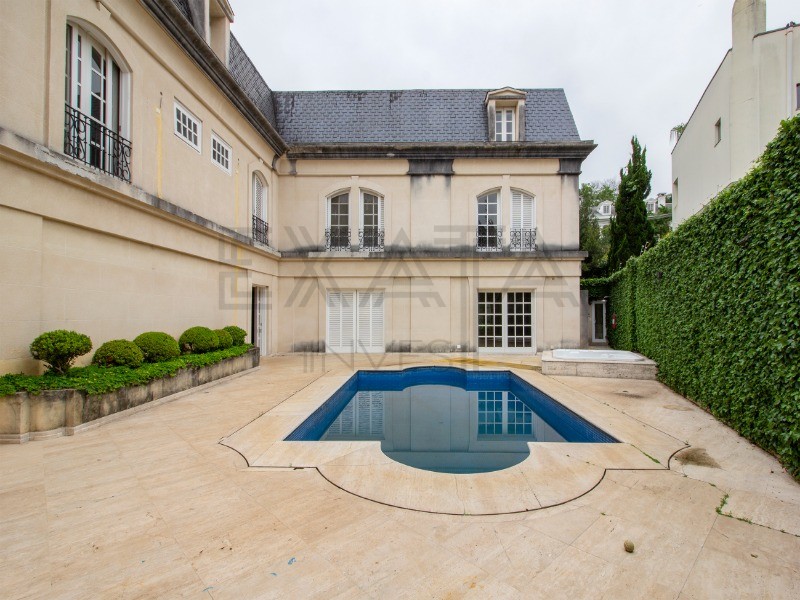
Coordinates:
(96, 99)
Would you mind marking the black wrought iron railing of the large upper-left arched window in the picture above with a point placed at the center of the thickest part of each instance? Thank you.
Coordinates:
(96, 145)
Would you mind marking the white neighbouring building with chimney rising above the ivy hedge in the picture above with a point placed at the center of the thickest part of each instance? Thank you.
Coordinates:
(754, 89)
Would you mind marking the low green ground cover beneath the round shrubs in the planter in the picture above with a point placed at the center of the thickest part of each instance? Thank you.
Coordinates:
(101, 380)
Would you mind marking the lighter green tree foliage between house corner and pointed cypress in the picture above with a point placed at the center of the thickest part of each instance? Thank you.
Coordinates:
(593, 238)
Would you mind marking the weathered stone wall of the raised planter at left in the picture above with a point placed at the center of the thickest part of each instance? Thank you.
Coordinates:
(27, 416)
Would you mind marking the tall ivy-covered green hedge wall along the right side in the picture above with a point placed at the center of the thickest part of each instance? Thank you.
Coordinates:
(717, 303)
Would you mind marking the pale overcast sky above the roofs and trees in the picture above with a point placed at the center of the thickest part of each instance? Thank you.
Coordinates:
(629, 67)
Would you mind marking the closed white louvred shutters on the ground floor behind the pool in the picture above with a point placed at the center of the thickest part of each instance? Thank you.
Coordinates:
(355, 321)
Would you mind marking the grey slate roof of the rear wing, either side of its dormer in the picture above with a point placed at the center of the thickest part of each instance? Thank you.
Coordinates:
(413, 116)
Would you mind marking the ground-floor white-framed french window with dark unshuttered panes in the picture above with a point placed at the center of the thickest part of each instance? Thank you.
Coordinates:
(505, 320)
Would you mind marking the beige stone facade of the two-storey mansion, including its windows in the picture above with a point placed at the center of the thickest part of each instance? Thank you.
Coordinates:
(113, 243)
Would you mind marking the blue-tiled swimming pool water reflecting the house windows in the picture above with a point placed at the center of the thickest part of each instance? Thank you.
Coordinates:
(446, 419)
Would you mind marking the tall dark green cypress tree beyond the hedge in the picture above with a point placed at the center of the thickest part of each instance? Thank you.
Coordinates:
(630, 230)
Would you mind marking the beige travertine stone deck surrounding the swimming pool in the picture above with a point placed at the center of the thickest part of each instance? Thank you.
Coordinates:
(154, 506)
